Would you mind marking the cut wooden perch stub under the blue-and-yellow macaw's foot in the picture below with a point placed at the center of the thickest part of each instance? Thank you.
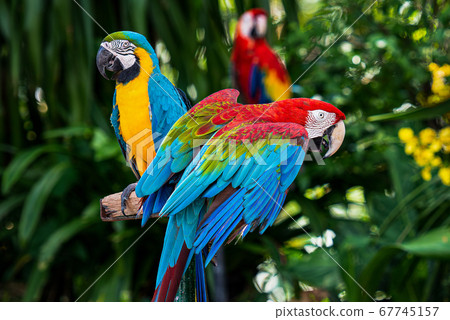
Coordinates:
(110, 208)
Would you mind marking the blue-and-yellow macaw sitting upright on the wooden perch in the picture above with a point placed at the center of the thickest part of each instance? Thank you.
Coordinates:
(145, 103)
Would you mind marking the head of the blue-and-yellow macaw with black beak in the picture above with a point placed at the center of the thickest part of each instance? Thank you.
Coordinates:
(120, 54)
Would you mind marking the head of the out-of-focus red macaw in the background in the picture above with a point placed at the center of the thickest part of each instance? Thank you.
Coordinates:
(253, 24)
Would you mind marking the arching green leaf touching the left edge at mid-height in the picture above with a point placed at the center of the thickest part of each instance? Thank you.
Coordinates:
(21, 162)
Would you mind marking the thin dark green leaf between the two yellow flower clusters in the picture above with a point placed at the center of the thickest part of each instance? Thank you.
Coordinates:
(416, 114)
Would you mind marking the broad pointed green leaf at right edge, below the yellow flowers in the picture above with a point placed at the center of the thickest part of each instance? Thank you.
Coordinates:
(433, 244)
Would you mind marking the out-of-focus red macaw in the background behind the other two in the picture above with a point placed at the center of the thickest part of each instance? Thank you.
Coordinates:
(257, 71)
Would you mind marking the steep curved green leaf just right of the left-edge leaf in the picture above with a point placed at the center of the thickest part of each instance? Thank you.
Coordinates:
(36, 199)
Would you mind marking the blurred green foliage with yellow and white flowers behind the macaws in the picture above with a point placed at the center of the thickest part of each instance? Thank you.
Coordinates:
(380, 207)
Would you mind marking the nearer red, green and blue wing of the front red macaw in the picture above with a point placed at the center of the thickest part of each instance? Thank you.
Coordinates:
(245, 173)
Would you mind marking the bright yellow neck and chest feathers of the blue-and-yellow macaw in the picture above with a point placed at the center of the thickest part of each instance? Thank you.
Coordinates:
(135, 114)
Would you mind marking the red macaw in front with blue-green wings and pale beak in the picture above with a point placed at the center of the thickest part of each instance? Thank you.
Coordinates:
(236, 163)
